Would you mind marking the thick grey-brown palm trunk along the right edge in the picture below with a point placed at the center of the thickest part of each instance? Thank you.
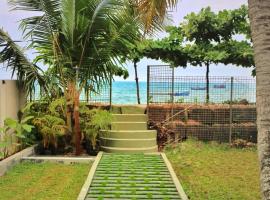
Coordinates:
(259, 13)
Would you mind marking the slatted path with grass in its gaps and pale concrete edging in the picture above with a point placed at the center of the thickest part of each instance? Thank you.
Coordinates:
(132, 176)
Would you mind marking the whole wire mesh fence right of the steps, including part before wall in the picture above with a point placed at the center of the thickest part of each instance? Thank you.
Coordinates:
(222, 110)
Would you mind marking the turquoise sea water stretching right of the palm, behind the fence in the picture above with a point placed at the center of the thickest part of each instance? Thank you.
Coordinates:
(124, 92)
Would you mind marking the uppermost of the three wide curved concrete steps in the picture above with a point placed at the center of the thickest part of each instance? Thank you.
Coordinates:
(127, 134)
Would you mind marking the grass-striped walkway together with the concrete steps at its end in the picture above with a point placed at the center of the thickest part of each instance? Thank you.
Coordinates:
(129, 171)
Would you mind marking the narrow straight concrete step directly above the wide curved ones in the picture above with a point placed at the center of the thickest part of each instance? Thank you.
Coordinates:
(129, 126)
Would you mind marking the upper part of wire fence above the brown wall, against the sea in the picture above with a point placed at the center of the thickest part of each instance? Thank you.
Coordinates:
(164, 86)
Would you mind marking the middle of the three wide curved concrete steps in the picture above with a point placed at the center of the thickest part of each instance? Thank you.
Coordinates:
(127, 143)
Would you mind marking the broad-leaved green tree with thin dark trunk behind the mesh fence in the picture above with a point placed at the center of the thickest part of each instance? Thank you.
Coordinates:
(206, 38)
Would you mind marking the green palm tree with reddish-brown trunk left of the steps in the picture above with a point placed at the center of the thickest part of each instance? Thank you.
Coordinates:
(82, 37)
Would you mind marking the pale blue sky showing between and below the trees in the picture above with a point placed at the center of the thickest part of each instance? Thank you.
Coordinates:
(9, 21)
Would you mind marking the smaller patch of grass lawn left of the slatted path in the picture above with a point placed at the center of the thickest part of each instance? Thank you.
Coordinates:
(44, 181)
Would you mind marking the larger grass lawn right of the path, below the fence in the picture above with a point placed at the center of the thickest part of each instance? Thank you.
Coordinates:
(215, 172)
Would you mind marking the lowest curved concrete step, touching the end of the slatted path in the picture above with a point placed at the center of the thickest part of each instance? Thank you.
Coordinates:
(129, 150)
